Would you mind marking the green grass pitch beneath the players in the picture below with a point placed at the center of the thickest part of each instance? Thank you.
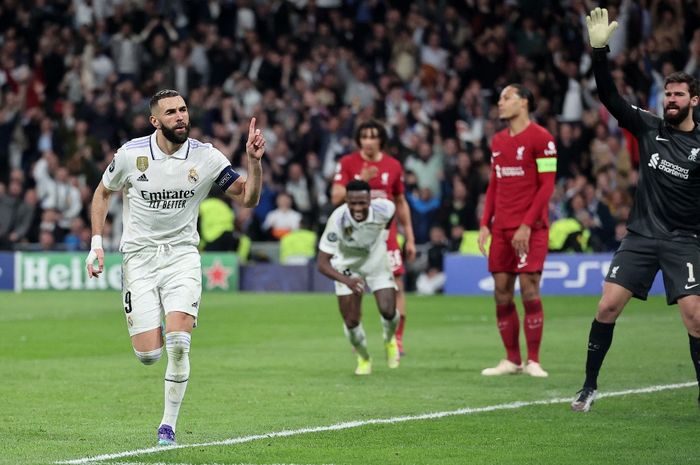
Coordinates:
(264, 363)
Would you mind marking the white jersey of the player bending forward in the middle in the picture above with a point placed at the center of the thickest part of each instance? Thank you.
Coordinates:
(358, 245)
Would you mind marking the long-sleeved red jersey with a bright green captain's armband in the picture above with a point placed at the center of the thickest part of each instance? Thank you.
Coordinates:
(523, 168)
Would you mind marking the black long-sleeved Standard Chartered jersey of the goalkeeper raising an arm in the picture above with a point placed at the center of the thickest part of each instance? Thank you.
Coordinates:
(667, 200)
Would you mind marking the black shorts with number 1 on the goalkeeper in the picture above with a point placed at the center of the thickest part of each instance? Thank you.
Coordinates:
(639, 258)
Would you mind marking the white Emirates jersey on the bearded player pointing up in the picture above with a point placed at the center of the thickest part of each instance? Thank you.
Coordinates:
(162, 192)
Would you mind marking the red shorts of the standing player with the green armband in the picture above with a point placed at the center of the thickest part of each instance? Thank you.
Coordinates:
(502, 256)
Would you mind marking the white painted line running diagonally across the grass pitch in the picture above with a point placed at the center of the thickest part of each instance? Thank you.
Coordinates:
(376, 421)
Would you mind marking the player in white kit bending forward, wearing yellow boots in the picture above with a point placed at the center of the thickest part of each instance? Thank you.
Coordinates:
(352, 252)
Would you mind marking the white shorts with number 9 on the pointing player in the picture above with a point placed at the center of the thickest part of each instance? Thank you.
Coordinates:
(157, 281)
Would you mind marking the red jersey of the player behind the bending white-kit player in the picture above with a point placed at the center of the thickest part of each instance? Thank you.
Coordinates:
(387, 182)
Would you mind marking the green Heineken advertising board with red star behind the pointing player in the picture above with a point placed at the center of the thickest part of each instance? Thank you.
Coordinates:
(66, 271)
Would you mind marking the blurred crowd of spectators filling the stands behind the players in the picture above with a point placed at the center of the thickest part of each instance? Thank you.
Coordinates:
(76, 76)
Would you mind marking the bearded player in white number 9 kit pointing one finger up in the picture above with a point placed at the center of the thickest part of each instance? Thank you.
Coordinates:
(164, 177)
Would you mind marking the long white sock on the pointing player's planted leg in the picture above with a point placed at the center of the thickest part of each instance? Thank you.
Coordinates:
(177, 345)
